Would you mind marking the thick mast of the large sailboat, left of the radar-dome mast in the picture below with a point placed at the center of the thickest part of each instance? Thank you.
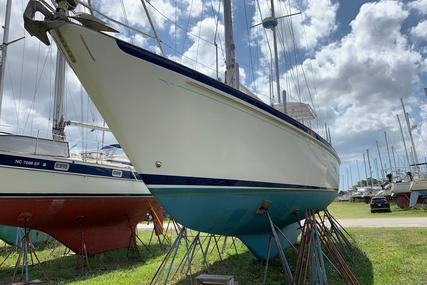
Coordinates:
(232, 67)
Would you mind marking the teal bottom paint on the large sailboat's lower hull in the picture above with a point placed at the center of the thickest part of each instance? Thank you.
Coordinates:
(232, 212)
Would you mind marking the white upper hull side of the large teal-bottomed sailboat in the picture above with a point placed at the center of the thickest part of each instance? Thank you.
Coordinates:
(188, 127)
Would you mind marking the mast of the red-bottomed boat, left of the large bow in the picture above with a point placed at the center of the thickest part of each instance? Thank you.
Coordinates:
(58, 126)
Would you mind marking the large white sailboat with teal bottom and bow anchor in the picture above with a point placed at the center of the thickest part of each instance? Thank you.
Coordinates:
(213, 156)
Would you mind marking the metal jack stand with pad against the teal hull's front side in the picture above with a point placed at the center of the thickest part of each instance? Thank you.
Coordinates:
(263, 210)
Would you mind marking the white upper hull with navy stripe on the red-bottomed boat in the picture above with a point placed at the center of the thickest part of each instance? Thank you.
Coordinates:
(20, 180)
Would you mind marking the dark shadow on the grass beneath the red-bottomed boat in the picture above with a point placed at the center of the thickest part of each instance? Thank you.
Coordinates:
(62, 269)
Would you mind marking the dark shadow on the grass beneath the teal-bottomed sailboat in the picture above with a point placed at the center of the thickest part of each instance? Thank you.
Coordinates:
(246, 269)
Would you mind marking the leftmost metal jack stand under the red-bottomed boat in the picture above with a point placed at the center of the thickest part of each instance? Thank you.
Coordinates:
(26, 253)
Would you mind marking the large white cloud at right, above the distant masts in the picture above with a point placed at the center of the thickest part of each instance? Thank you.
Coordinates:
(360, 78)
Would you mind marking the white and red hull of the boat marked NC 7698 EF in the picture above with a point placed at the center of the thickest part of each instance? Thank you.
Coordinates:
(81, 204)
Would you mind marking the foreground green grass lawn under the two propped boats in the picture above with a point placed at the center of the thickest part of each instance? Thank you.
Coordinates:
(385, 256)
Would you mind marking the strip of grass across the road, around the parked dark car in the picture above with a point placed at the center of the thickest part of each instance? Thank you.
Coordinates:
(347, 210)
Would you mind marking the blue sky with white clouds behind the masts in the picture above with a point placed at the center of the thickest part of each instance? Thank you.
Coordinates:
(352, 59)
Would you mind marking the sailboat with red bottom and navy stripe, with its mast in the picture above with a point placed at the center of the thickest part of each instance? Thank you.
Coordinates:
(91, 205)
